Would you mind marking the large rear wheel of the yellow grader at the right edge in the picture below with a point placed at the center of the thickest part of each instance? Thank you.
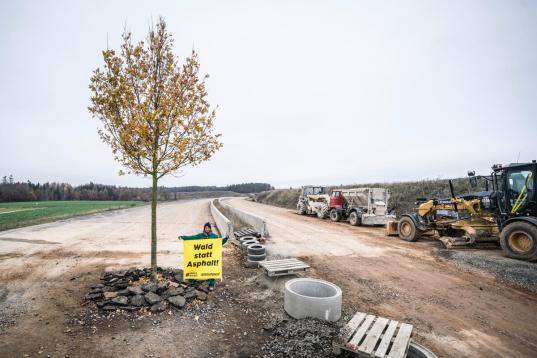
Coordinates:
(519, 241)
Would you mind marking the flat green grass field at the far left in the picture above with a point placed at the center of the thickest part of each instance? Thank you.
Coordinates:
(13, 215)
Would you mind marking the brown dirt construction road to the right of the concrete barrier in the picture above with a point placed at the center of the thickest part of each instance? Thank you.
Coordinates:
(455, 313)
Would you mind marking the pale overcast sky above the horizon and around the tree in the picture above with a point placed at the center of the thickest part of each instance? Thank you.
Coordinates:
(308, 92)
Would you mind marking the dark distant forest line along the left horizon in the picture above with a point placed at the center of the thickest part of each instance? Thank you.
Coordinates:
(10, 190)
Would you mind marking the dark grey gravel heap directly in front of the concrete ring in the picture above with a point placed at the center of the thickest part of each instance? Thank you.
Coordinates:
(305, 338)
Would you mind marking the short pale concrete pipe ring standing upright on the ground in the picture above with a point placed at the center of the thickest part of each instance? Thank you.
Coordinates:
(308, 297)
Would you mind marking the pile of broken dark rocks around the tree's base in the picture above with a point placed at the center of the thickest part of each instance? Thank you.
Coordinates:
(133, 289)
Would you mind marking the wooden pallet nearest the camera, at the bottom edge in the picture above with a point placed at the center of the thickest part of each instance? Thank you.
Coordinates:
(371, 336)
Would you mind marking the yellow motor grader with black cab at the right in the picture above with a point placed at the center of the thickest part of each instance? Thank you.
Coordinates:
(506, 214)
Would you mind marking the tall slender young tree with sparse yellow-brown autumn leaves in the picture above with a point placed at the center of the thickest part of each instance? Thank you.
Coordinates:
(154, 112)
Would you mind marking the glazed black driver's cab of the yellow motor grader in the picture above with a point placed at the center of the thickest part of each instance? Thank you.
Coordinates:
(515, 187)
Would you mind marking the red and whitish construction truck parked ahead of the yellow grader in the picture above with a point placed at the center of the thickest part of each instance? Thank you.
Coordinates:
(361, 206)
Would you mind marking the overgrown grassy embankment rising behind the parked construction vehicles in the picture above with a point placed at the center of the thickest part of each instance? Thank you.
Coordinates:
(402, 199)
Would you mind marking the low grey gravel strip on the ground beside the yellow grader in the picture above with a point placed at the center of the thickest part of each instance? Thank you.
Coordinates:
(520, 273)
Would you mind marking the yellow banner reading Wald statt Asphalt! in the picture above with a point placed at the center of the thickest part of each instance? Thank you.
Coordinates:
(202, 259)
